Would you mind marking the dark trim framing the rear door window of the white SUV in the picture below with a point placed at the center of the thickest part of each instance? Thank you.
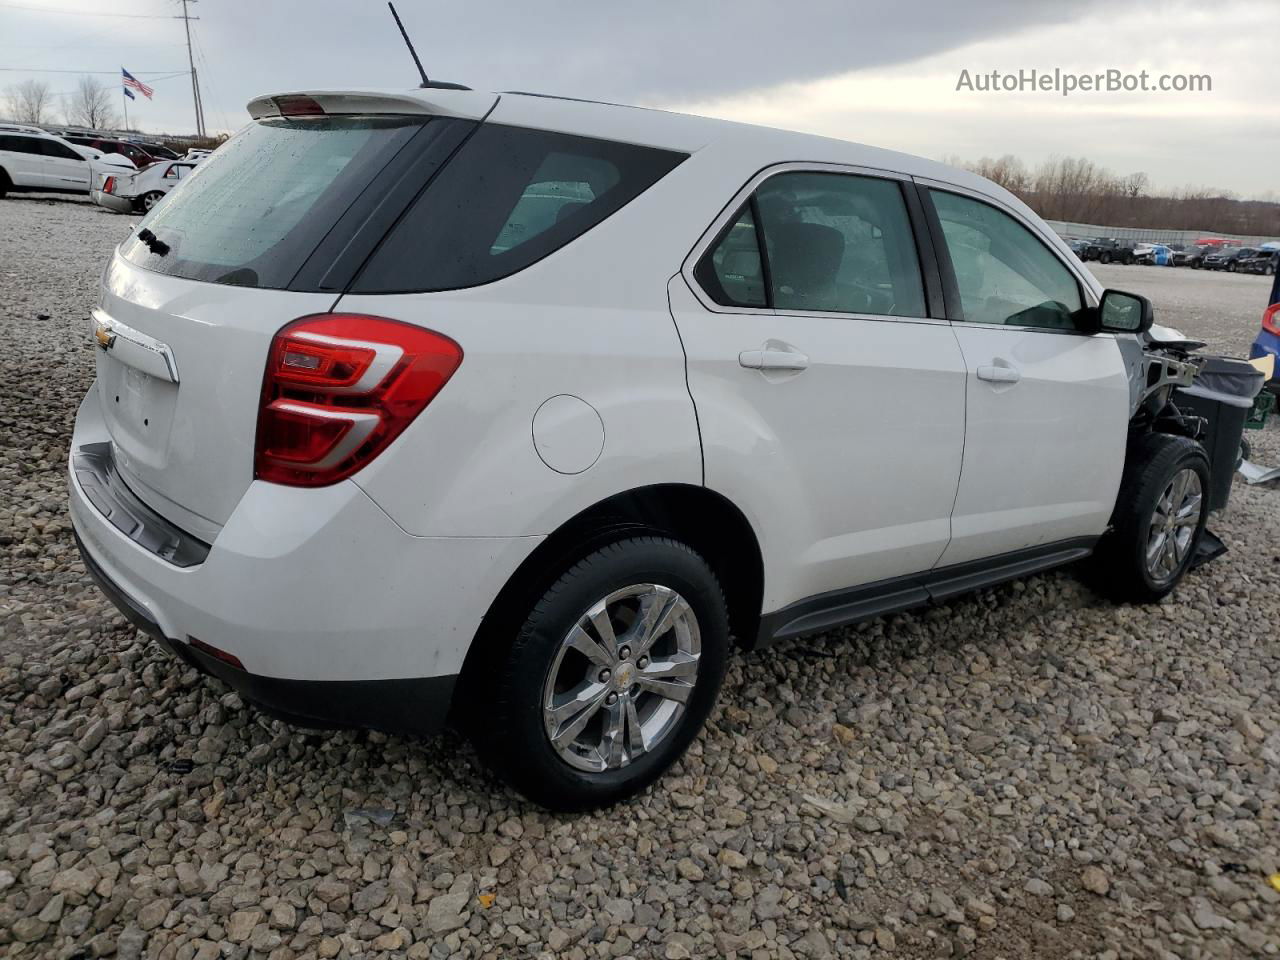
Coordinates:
(746, 196)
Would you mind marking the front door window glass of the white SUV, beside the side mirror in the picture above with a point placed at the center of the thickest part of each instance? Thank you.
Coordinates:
(1005, 273)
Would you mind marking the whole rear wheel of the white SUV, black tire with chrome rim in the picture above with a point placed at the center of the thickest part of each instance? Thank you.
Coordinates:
(609, 680)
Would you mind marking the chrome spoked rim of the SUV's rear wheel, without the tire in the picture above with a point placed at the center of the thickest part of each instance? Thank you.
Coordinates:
(621, 678)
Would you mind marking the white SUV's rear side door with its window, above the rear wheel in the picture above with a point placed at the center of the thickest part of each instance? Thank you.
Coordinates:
(829, 395)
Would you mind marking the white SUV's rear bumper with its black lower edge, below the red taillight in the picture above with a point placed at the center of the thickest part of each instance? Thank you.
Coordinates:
(337, 615)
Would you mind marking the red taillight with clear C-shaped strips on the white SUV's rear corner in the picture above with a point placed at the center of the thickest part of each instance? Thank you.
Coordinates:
(339, 390)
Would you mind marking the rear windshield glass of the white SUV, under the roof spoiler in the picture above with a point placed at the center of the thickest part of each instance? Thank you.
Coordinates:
(254, 212)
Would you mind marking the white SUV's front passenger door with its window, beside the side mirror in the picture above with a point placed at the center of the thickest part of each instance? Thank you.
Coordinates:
(1048, 403)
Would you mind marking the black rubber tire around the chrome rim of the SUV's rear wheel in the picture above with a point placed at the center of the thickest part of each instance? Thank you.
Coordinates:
(508, 720)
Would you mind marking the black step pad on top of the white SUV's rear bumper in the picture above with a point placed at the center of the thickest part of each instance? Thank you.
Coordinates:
(94, 467)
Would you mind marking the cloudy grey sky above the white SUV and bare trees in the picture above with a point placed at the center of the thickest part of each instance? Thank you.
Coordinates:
(884, 74)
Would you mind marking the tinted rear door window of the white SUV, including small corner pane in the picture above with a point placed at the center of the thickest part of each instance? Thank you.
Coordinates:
(833, 244)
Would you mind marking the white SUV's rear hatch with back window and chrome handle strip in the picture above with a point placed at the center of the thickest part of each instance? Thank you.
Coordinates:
(193, 300)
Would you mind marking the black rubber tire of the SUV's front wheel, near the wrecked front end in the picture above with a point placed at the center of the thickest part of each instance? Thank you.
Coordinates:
(1153, 464)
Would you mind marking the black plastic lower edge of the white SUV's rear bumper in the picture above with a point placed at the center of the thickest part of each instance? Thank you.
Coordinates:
(417, 706)
